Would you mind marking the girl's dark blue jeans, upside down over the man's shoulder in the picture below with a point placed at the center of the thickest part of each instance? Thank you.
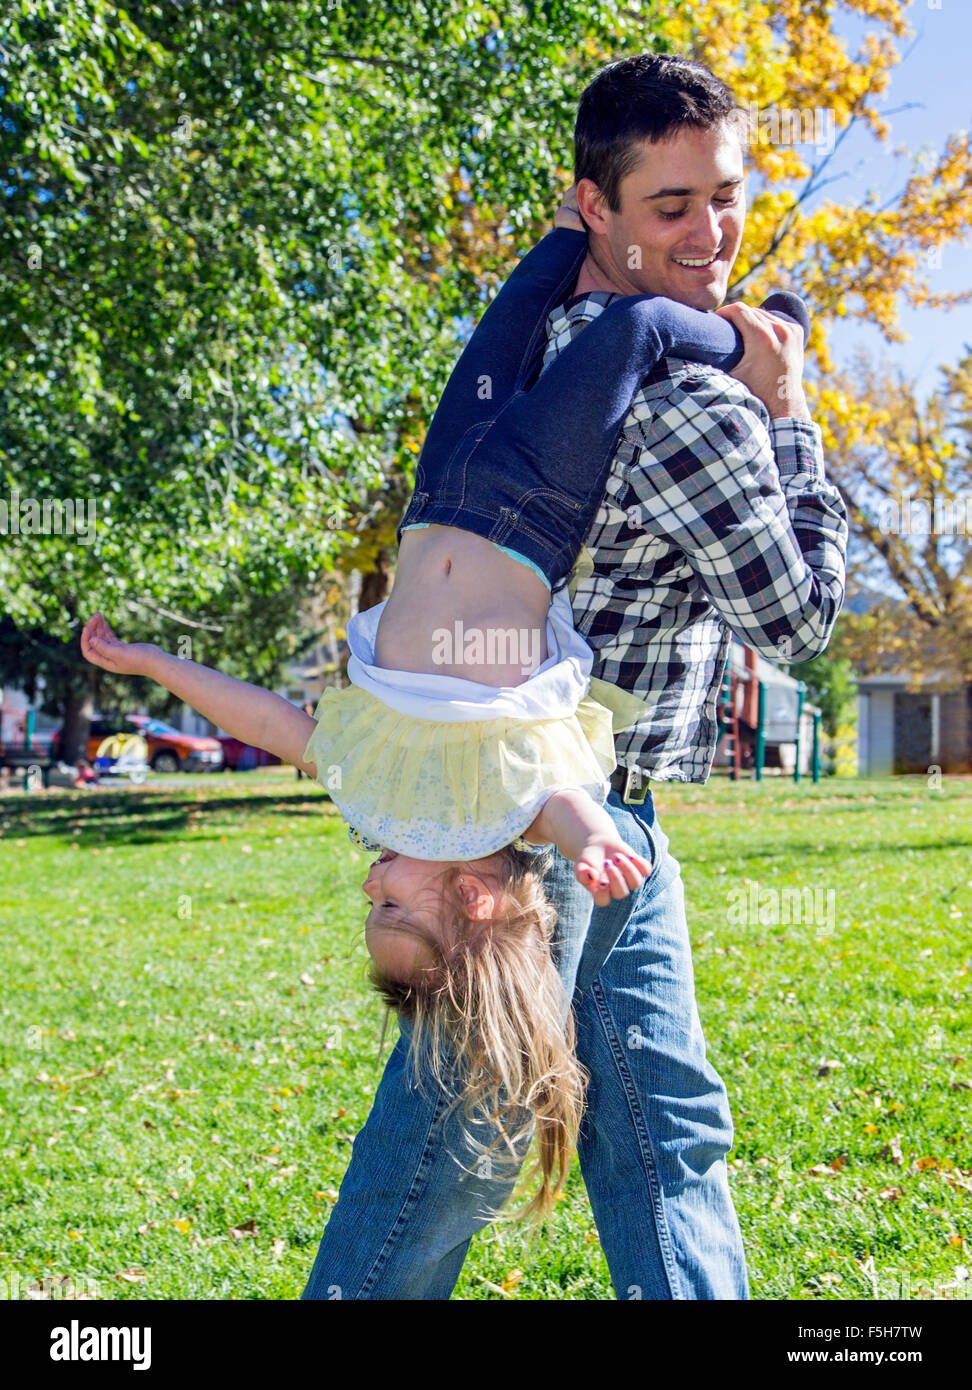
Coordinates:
(525, 466)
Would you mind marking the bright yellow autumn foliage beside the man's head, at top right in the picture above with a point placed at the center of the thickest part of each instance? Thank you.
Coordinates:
(804, 94)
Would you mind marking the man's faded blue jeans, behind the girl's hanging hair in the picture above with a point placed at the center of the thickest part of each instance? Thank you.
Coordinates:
(653, 1143)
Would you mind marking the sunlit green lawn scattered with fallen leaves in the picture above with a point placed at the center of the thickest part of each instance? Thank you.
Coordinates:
(170, 1077)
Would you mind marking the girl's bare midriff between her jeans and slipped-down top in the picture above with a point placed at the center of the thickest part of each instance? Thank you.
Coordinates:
(460, 607)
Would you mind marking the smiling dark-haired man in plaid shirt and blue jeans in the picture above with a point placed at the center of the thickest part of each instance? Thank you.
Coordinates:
(717, 518)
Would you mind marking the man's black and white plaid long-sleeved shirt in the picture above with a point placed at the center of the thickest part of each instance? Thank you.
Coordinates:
(715, 521)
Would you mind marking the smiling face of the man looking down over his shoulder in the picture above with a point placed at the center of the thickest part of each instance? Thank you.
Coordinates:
(683, 202)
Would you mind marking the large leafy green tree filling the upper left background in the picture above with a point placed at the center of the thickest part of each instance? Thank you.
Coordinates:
(226, 290)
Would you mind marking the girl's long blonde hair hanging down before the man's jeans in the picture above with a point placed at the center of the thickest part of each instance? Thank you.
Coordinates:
(494, 1008)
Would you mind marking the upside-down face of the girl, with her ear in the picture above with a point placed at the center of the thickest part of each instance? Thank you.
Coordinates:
(405, 890)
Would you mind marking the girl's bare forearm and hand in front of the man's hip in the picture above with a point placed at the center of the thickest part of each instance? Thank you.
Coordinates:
(585, 832)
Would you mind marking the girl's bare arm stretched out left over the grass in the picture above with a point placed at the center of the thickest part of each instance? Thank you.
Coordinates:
(248, 712)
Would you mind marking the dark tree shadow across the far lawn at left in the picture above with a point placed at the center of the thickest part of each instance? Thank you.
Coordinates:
(137, 817)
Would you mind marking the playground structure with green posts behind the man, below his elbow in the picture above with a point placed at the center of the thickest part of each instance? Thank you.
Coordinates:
(757, 712)
